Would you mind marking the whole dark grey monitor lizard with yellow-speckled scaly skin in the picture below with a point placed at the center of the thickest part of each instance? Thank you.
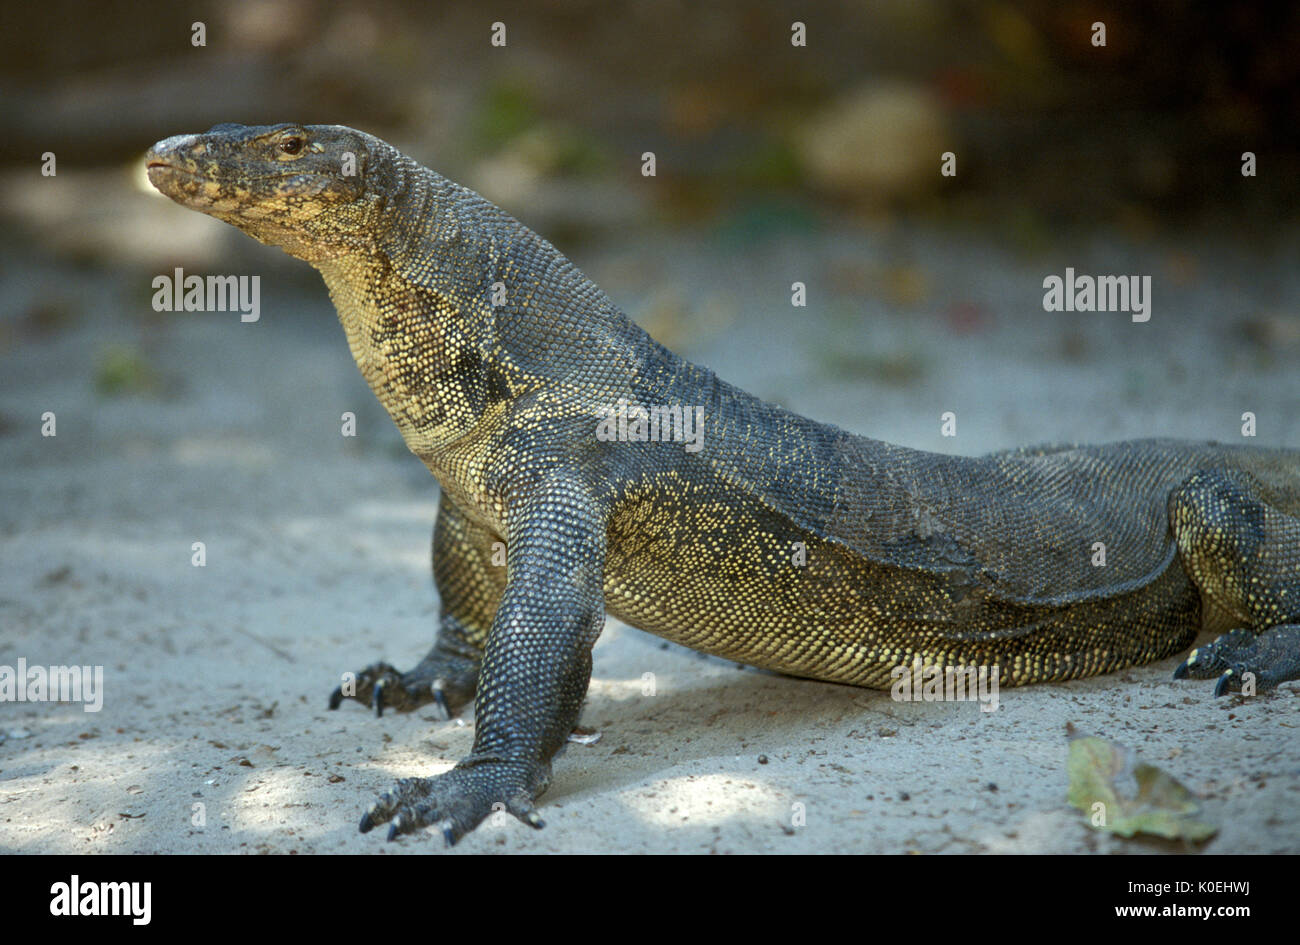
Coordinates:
(782, 543)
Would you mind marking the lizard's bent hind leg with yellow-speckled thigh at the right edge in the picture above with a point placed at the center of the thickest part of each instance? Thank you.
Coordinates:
(1243, 554)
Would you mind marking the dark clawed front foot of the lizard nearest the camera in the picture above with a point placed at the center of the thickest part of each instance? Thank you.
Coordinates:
(456, 801)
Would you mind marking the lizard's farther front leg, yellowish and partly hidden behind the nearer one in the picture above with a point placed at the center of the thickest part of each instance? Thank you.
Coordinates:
(470, 588)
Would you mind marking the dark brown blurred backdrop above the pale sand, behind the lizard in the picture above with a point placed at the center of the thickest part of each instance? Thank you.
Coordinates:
(1047, 125)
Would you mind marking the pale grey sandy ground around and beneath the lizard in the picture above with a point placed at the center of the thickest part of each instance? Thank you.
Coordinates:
(216, 678)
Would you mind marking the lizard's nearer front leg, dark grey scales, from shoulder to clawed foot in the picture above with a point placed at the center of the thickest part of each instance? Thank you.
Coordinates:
(536, 669)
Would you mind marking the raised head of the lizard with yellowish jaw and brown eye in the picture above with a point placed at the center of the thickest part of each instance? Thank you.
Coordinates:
(297, 187)
